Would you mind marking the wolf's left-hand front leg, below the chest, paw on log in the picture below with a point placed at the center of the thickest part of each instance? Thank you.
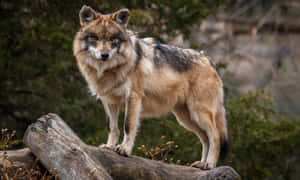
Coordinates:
(112, 112)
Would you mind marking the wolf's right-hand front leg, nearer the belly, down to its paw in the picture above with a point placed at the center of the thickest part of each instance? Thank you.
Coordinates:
(131, 123)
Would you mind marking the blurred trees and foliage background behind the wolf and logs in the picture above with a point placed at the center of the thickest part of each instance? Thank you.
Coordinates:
(255, 44)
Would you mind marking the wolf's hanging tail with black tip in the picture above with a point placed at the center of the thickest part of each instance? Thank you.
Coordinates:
(223, 131)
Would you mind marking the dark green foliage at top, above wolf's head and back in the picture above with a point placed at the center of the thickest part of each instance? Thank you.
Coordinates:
(158, 17)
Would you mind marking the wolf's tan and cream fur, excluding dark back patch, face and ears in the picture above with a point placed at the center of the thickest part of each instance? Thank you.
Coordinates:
(194, 96)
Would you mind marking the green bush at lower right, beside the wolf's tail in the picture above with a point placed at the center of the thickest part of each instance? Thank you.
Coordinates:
(262, 140)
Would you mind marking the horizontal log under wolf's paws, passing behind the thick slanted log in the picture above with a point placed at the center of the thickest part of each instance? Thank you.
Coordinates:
(116, 166)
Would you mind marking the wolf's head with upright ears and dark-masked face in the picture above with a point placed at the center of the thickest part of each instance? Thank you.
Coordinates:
(102, 36)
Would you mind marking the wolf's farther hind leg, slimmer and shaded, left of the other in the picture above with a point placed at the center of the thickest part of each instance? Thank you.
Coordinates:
(183, 116)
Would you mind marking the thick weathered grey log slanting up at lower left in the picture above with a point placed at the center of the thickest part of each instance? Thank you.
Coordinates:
(59, 149)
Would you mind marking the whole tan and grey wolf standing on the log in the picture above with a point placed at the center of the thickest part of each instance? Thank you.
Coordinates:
(144, 78)
